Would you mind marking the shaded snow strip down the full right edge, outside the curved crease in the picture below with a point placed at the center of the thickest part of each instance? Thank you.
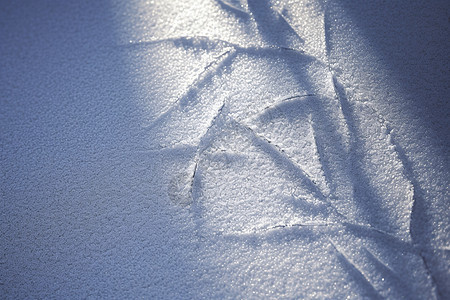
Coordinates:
(410, 41)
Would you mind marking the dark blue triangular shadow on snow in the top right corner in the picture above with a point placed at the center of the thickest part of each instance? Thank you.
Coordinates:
(413, 47)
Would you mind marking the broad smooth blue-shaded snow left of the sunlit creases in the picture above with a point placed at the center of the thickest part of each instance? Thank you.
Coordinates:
(84, 215)
